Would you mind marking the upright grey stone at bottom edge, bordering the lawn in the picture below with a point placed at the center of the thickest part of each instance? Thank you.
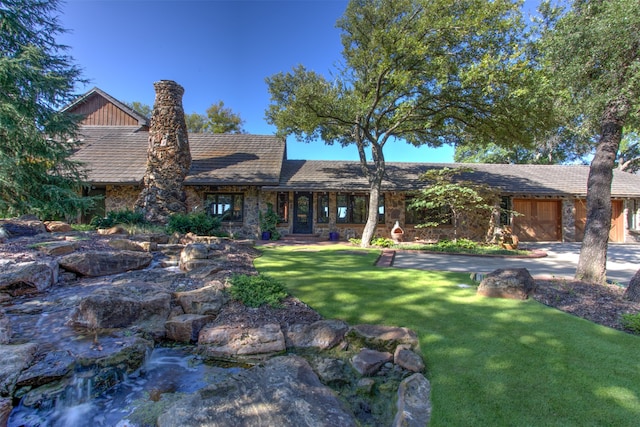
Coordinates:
(414, 402)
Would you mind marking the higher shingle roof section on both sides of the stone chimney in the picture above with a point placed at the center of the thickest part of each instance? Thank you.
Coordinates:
(118, 155)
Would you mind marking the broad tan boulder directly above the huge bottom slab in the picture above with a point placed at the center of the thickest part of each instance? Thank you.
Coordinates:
(238, 343)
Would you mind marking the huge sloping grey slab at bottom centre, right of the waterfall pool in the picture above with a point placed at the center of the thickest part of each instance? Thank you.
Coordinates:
(282, 392)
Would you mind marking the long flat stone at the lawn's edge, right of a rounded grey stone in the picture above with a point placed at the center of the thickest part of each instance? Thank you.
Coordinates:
(383, 338)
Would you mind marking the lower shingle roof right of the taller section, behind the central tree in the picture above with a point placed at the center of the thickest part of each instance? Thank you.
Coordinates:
(542, 180)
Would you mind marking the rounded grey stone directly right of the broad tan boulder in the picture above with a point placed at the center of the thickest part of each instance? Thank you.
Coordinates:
(323, 335)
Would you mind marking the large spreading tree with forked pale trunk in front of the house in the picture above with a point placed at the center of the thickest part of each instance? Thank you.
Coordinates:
(428, 72)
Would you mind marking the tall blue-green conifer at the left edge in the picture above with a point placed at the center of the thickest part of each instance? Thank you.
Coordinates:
(37, 78)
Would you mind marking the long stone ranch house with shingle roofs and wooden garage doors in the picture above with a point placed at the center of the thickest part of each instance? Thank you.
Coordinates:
(238, 176)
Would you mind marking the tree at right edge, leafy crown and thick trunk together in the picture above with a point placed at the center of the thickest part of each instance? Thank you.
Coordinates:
(594, 54)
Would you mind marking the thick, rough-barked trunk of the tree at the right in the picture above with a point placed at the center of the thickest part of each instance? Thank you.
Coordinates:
(592, 264)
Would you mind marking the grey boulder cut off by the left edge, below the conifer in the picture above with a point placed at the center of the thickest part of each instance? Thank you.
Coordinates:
(28, 277)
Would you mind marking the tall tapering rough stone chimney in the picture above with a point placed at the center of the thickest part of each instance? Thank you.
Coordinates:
(168, 156)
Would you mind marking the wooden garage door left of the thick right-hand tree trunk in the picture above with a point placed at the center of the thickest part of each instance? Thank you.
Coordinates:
(539, 220)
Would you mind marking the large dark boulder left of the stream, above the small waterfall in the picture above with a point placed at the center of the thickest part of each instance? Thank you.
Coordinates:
(122, 306)
